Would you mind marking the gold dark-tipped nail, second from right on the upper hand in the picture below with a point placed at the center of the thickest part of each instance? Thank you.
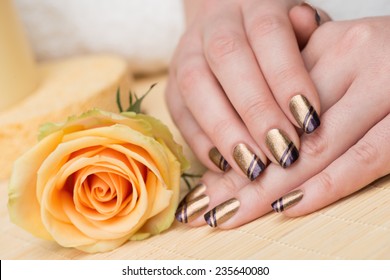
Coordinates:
(282, 148)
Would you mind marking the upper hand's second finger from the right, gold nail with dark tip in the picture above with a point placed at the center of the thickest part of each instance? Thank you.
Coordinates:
(233, 63)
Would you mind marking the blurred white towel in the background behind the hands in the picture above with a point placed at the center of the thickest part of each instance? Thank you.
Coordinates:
(144, 31)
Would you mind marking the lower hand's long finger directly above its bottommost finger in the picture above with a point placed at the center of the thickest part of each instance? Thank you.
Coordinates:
(330, 141)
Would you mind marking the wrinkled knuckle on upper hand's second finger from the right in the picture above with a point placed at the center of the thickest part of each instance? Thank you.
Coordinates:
(222, 44)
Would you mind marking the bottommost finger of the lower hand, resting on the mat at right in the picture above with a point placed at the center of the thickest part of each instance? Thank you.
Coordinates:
(369, 156)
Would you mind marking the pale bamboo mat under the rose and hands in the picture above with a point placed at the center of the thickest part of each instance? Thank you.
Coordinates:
(357, 227)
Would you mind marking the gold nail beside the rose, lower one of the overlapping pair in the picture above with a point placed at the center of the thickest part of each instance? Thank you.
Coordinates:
(192, 209)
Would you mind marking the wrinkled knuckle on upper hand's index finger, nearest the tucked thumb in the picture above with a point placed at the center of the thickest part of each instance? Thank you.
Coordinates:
(263, 25)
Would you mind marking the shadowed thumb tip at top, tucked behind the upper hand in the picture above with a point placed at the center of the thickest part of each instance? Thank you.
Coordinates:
(305, 19)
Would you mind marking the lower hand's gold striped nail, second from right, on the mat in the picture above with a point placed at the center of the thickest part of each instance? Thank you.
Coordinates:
(222, 212)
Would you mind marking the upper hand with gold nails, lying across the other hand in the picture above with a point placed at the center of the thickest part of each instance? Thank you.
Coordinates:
(238, 84)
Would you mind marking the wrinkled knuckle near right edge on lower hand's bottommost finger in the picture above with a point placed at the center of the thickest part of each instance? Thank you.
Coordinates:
(364, 153)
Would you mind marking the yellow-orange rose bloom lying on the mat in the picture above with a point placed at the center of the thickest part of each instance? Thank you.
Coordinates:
(98, 180)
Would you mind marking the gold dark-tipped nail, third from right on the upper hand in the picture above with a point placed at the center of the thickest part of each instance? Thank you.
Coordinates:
(249, 163)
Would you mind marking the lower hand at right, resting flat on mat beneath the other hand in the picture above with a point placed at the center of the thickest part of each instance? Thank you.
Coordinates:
(348, 62)
